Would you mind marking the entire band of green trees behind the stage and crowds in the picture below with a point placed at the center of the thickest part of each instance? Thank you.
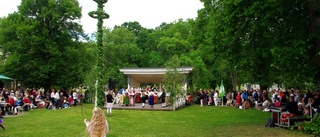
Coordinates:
(237, 41)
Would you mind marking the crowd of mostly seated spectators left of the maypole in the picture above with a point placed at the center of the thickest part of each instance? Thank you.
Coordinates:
(28, 99)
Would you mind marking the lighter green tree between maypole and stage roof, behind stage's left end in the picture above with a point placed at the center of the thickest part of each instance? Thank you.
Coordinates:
(120, 51)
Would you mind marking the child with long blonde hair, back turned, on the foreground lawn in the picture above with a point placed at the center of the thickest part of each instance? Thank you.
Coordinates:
(98, 126)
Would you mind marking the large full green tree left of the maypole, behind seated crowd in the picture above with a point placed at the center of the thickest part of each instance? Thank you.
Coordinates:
(42, 42)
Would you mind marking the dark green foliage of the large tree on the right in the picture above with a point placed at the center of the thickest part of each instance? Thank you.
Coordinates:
(258, 45)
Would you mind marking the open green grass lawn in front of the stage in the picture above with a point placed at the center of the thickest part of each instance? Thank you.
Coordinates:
(192, 121)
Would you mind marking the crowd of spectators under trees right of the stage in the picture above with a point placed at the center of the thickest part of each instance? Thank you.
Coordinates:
(292, 101)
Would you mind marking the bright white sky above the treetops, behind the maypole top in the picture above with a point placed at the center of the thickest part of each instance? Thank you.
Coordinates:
(149, 13)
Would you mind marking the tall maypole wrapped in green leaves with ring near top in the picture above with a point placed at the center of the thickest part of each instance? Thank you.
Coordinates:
(99, 14)
